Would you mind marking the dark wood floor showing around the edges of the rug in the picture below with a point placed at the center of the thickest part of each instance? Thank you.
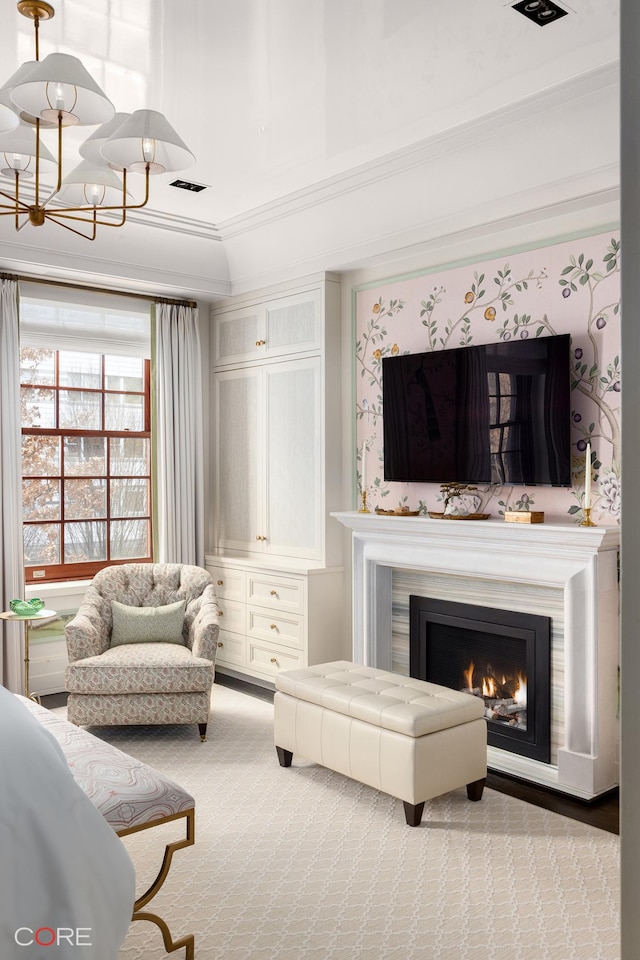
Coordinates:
(602, 813)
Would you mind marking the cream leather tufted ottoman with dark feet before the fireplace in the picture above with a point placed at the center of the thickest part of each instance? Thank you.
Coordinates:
(411, 739)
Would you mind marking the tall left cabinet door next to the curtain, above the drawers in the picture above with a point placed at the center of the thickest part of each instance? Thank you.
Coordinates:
(238, 469)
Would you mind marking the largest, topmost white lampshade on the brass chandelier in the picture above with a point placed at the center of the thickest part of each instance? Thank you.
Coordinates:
(59, 84)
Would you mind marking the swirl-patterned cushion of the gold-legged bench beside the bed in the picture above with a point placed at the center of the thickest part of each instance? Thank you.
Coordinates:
(127, 792)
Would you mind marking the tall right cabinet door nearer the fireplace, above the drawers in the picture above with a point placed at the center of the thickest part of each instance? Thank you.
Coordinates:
(293, 465)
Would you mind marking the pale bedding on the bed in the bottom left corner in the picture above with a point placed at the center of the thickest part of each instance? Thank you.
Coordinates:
(66, 879)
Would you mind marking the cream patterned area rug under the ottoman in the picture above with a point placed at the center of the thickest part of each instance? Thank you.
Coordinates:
(304, 864)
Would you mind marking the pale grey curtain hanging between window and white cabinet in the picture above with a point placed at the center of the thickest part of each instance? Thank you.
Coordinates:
(177, 435)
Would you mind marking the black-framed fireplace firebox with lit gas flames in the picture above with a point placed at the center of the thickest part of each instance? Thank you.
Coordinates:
(502, 656)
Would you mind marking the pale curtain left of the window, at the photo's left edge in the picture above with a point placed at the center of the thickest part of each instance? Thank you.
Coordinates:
(11, 561)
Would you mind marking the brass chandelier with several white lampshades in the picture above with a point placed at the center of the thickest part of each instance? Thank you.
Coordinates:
(58, 92)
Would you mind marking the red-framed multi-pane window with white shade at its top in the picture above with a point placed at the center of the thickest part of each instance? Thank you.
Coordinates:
(86, 441)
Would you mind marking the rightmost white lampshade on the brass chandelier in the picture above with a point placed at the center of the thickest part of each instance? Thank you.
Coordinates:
(147, 138)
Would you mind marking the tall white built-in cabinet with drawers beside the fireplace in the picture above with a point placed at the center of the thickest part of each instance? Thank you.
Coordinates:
(276, 556)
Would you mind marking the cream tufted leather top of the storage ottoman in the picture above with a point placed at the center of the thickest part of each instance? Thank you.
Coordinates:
(389, 700)
